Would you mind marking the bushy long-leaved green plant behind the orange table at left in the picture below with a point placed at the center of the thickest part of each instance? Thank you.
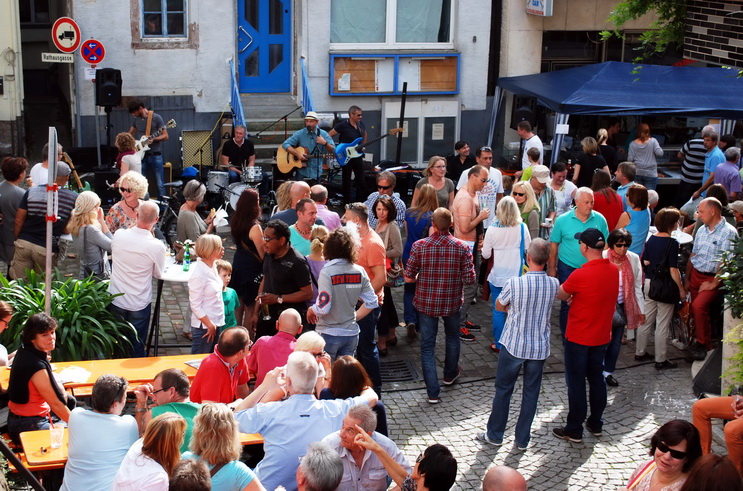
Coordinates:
(86, 329)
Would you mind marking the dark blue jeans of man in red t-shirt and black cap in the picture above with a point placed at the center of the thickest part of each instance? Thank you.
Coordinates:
(581, 363)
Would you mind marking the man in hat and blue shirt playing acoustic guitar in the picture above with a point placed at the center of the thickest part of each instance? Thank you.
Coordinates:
(313, 139)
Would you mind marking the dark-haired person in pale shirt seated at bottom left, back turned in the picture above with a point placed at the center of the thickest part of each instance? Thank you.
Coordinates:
(93, 461)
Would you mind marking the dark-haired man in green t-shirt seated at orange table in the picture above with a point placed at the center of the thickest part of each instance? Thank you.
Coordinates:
(169, 393)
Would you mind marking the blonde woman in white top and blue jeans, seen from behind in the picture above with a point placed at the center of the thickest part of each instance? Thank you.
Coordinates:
(505, 241)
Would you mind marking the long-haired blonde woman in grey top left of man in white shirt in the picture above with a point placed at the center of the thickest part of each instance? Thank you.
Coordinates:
(91, 236)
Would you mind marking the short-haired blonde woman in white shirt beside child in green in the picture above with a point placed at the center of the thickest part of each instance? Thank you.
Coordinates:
(205, 294)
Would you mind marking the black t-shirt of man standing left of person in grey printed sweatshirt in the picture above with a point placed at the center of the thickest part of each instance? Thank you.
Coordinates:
(286, 275)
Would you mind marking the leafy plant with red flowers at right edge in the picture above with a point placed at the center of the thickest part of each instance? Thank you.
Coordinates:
(732, 280)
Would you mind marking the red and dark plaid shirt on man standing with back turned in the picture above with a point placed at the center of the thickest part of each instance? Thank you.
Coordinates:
(443, 265)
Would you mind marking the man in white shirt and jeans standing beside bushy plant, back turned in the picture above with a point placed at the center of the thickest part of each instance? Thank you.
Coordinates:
(137, 257)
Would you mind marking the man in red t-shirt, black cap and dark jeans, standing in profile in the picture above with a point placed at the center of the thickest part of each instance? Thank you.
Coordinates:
(592, 292)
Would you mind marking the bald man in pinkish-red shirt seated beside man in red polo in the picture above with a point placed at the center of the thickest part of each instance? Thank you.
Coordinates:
(270, 352)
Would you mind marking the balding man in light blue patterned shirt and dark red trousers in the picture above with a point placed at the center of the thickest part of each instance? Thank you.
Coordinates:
(712, 239)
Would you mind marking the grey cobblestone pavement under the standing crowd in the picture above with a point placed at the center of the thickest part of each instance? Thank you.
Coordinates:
(645, 399)
